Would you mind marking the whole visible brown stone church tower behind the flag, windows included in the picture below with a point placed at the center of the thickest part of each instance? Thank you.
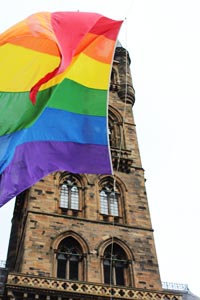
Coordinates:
(80, 236)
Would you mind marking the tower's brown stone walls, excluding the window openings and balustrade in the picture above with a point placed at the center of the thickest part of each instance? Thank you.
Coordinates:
(39, 224)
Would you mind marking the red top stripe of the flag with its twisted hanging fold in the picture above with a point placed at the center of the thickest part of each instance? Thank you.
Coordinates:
(70, 28)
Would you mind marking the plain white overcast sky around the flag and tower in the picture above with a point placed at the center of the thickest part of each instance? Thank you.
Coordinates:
(162, 37)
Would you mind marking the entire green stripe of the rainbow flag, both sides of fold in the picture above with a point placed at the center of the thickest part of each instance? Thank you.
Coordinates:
(18, 112)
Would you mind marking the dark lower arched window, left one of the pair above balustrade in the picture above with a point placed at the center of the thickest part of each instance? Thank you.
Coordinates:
(69, 260)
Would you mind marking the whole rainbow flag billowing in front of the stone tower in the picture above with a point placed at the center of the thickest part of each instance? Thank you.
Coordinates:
(54, 80)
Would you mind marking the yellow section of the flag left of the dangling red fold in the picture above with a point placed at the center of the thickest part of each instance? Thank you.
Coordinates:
(21, 68)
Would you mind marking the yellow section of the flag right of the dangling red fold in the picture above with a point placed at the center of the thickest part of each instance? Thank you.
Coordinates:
(86, 71)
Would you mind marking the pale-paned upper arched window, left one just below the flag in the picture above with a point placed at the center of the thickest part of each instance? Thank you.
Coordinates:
(69, 193)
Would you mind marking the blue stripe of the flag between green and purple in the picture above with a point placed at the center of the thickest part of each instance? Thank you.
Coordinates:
(56, 125)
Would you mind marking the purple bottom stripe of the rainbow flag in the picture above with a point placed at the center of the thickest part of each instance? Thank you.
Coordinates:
(33, 161)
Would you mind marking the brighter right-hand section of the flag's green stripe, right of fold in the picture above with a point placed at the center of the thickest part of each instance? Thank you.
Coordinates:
(74, 97)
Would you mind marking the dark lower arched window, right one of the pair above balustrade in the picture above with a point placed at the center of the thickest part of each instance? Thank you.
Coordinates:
(115, 265)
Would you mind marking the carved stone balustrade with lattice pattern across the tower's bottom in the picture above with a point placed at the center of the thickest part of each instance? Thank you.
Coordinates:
(21, 286)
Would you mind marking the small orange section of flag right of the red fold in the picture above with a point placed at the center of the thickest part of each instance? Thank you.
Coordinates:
(97, 47)
